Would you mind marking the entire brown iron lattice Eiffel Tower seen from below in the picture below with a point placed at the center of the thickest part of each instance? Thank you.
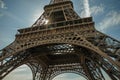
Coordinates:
(61, 41)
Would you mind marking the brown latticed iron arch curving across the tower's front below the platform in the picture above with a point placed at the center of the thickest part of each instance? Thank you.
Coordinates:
(72, 38)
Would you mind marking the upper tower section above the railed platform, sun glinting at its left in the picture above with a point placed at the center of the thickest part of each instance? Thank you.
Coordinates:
(57, 11)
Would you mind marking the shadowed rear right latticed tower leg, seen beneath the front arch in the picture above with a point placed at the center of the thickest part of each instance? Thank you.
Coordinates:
(91, 68)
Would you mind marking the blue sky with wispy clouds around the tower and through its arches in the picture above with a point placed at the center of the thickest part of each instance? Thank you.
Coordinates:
(17, 14)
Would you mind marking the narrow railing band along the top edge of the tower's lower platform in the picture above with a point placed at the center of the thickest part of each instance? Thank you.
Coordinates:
(56, 25)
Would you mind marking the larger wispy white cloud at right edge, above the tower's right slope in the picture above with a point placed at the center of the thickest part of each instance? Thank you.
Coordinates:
(111, 19)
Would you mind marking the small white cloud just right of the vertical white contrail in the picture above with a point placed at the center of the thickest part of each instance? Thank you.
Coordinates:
(95, 10)
